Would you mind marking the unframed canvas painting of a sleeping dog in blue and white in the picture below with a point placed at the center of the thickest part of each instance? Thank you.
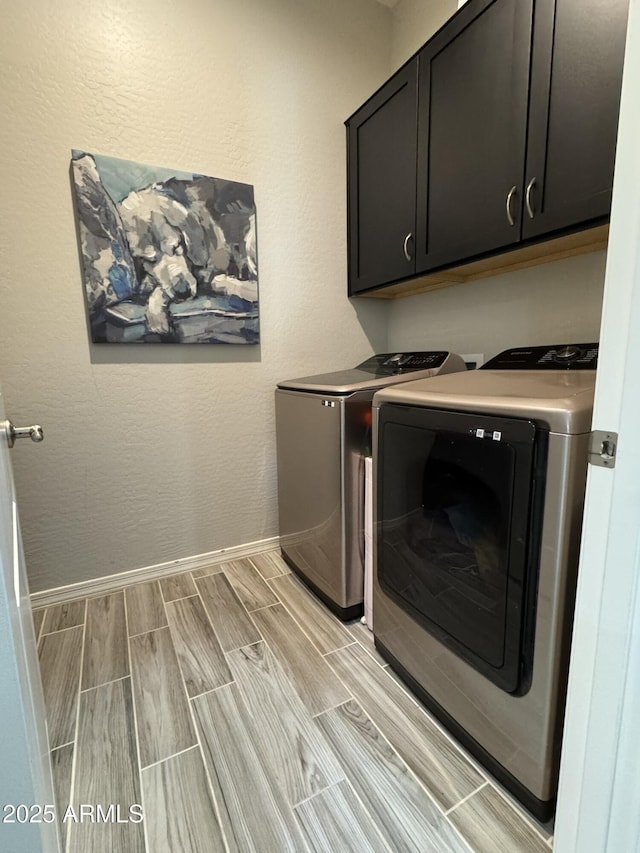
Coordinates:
(168, 256)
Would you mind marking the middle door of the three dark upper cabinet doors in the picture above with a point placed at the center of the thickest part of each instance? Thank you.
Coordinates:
(473, 94)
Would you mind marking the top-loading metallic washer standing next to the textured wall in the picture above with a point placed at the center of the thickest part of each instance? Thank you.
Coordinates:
(323, 434)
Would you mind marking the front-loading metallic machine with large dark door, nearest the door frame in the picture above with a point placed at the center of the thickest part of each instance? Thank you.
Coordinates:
(479, 491)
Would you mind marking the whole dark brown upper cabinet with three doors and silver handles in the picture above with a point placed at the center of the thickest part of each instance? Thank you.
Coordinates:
(509, 140)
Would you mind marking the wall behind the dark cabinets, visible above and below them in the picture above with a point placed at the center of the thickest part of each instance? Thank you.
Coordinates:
(545, 304)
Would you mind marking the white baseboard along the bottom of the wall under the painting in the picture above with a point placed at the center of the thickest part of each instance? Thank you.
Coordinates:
(109, 583)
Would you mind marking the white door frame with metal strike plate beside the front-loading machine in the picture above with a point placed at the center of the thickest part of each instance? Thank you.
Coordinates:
(599, 793)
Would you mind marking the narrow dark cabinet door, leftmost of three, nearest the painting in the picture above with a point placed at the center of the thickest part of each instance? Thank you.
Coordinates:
(381, 151)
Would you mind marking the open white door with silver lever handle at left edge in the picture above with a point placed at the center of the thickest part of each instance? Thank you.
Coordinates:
(25, 768)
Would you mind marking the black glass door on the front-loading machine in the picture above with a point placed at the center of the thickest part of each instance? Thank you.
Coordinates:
(457, 533)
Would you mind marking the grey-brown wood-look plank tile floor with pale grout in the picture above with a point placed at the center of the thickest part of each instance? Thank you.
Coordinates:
(241, 715)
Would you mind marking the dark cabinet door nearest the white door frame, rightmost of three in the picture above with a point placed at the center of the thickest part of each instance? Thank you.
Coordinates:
(576, 74)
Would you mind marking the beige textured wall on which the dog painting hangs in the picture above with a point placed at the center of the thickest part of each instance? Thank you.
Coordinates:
(152, 453)
